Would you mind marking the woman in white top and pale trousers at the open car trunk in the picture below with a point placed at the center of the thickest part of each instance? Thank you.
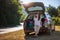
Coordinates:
(37, 23)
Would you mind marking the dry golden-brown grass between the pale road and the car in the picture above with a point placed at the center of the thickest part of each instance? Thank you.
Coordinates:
(17, 35)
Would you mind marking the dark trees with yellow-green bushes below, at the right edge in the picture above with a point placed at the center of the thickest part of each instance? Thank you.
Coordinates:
(55, 13)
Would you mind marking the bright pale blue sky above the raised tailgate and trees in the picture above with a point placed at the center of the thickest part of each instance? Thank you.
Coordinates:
(55, 3)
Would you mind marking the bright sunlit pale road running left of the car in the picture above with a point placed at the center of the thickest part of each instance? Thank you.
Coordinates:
(12, 29)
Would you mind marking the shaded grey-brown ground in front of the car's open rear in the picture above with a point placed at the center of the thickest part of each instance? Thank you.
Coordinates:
(54, 36)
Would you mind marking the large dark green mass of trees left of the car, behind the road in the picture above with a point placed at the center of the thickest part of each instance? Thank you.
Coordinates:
(10, 13)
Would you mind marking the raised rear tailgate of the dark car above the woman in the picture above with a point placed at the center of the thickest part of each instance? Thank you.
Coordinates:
(33, 4)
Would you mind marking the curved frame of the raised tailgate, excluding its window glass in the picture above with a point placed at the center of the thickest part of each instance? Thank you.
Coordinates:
(33, 4)
